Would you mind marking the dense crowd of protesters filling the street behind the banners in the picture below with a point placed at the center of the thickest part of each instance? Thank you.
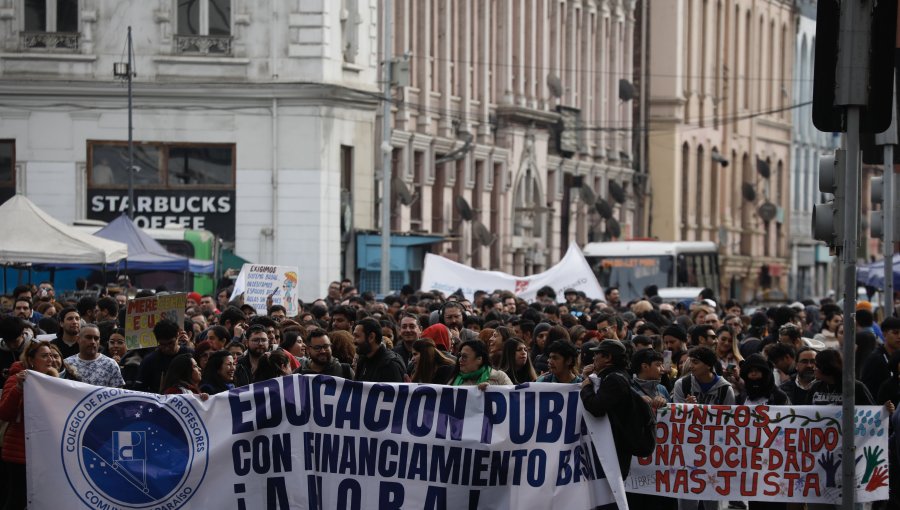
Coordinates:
(700, 351)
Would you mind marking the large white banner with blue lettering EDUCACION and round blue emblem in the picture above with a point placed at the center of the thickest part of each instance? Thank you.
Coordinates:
(313, 442)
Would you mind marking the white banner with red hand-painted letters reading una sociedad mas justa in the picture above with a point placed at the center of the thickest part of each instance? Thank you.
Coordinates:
(761, 453)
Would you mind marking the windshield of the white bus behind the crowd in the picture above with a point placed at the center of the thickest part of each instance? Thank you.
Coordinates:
(632, 274)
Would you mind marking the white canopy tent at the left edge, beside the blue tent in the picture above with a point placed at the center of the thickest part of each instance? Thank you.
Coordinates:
(30, 235)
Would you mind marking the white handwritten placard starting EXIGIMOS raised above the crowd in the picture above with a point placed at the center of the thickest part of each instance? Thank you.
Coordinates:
(257, 282)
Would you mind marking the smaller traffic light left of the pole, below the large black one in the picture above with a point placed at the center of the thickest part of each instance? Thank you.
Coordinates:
(828, 218)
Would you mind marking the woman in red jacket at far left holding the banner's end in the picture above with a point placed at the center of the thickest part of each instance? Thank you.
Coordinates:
(37, 357)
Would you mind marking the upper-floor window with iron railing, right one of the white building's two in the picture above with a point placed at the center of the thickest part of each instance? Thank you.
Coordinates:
(204, 27)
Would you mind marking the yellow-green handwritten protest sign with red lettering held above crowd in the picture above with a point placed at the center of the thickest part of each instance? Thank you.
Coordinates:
(142, 314)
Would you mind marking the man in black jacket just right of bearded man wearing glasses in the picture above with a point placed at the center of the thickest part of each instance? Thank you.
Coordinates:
(376, 362)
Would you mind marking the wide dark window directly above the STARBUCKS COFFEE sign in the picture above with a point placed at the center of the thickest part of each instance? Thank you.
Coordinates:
(160, 165)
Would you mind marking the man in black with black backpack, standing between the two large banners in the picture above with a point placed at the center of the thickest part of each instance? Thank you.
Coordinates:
(607, 392)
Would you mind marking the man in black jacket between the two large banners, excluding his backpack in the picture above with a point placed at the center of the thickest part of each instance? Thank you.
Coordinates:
(611, 368)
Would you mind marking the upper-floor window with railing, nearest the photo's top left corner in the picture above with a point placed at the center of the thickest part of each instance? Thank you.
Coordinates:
(50, 25)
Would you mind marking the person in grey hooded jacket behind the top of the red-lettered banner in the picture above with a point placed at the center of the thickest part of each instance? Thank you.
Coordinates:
(702, 386)
